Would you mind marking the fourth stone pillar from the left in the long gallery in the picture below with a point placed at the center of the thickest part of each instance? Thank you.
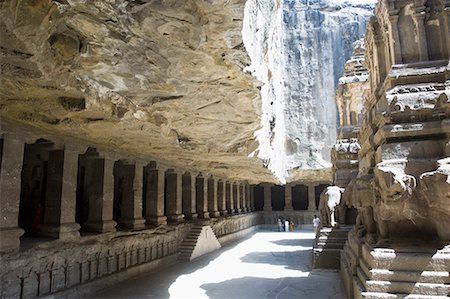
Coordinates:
(132, 196)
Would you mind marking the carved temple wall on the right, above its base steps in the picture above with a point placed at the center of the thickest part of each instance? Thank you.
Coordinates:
(403, 185)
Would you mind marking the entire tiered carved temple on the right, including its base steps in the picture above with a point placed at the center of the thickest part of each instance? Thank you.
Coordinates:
(401, 191)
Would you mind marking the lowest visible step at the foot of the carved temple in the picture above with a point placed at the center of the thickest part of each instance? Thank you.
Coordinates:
(402, 287)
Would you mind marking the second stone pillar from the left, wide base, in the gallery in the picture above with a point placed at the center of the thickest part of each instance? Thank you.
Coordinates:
(60, 198)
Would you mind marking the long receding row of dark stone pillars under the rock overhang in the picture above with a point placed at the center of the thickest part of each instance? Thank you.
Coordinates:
(80, 188)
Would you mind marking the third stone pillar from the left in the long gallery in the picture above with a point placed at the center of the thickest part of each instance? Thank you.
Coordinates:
(99, 184)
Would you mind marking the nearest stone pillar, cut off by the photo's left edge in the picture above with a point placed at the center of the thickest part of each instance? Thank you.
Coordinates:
(11, 159)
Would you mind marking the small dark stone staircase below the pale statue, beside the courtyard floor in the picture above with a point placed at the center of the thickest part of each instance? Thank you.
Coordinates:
(327, 247)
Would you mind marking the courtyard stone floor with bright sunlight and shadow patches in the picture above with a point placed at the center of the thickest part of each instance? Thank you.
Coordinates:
(266, 265)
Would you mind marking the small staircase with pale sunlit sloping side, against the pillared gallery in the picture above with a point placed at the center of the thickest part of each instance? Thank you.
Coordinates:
(200, 240)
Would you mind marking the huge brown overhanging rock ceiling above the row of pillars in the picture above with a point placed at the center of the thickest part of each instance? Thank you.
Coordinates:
(155, 78)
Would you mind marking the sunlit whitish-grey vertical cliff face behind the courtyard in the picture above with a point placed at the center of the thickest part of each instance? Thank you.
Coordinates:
(298, 49)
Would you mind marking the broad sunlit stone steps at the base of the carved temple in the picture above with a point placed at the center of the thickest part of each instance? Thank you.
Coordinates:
(399, 272)
